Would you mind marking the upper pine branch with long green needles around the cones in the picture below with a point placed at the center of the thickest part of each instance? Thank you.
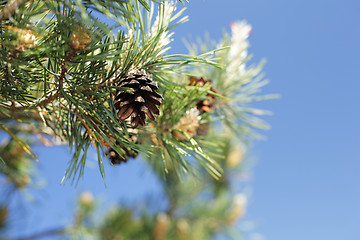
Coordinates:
(69, 67)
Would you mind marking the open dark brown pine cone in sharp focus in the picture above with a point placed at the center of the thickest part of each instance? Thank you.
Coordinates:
(138, 102)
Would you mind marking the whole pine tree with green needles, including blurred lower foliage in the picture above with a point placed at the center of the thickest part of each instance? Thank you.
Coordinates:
(97, 75)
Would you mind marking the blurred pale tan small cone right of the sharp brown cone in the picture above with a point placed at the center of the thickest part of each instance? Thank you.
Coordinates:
(189, 123)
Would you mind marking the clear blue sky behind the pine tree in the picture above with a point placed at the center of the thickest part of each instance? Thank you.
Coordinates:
(306, 181)
